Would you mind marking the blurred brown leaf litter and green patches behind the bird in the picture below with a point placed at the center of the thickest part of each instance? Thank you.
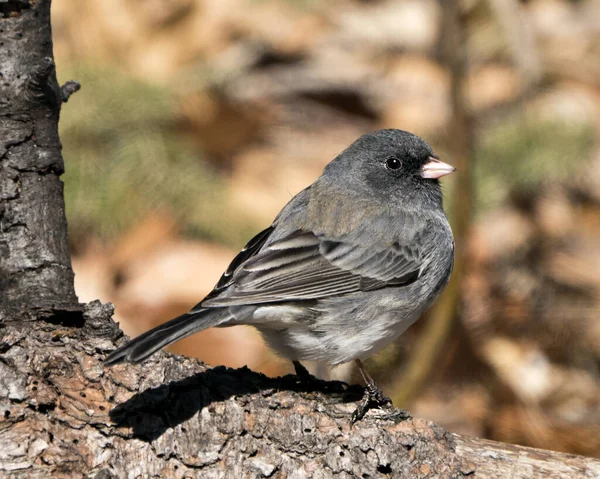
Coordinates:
(199, 119)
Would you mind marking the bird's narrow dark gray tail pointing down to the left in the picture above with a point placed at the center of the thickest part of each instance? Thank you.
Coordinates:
(145, 345)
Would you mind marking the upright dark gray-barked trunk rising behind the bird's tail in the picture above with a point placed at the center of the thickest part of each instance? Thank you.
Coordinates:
(35, 267)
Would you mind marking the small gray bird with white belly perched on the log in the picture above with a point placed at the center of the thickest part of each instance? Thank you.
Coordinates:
(345, 268)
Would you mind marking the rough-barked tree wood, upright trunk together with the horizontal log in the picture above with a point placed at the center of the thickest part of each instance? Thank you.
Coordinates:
(63, 414)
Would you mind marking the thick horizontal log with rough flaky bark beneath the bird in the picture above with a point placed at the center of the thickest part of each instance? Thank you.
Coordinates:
(63, 414)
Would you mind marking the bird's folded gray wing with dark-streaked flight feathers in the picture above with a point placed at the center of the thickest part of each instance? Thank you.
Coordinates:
(304, 266)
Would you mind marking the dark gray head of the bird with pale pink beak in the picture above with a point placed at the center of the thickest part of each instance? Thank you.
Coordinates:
(391, 165)
